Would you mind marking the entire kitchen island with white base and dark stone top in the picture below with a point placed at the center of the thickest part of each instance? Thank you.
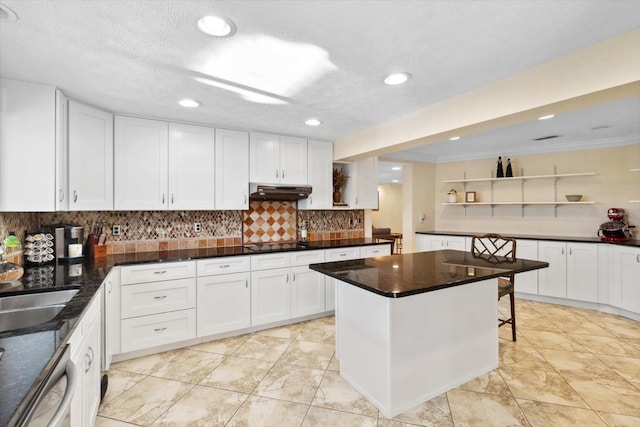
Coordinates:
(410, 327)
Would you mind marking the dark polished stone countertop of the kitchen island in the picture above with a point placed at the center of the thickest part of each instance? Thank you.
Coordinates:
(396, 276)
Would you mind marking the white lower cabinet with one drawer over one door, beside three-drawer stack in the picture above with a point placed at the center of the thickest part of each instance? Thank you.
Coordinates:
(224, 295)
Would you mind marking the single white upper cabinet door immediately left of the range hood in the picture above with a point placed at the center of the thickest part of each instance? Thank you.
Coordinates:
(232, 170)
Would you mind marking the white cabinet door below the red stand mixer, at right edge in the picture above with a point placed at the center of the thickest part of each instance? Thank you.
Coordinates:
(625, 283)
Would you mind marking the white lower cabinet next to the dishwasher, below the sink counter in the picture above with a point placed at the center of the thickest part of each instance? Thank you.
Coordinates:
(85, 354)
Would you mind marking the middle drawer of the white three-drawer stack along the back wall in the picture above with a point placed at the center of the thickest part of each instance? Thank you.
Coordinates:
(159, 297)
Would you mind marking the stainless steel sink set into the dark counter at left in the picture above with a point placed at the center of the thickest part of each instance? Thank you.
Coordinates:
(23, 311)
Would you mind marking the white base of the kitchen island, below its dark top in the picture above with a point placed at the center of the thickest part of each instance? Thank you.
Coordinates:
(401, 352)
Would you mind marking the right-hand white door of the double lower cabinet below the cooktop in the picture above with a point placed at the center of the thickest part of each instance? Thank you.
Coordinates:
(307, 291)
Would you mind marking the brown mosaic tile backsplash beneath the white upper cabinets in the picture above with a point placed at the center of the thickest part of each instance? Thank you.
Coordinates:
(143, 231)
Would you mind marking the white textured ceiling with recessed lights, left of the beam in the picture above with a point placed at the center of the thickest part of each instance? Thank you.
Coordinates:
(141, 57)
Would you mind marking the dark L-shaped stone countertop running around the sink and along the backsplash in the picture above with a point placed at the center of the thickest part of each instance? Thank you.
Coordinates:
(30, 352)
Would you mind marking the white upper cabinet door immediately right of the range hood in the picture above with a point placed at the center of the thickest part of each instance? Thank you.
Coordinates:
(319, 176)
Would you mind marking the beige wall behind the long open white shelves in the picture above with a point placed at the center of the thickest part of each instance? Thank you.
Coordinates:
(613, 185)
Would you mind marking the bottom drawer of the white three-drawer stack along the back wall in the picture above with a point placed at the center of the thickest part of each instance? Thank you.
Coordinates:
(158, 329)
